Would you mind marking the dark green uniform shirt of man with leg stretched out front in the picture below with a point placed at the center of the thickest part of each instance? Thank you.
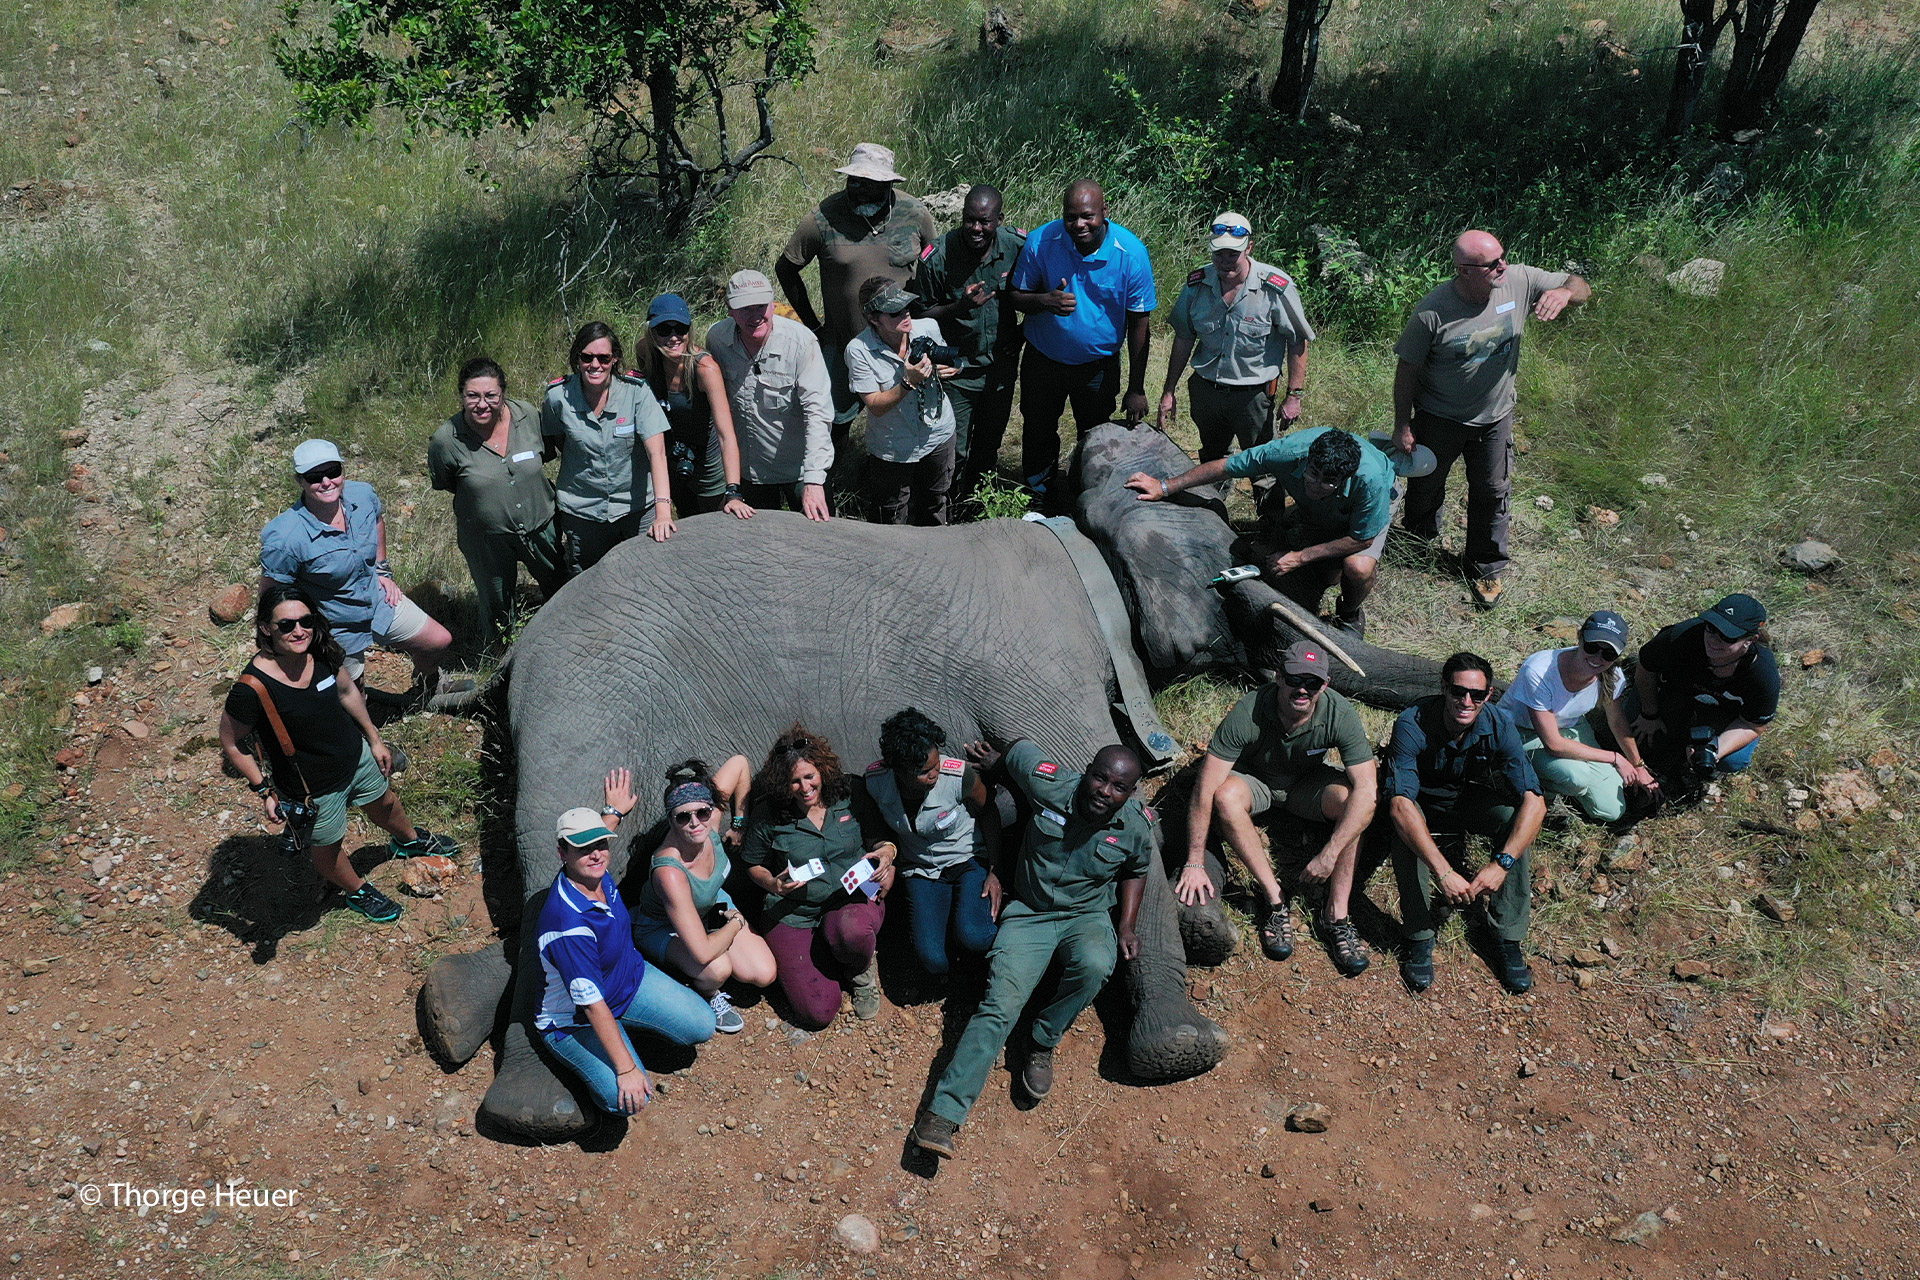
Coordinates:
(1067, 863)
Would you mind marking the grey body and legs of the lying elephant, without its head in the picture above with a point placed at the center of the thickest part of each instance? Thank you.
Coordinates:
(667, 652)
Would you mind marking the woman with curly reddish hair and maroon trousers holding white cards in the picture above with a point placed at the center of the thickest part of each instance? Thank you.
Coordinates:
(823, 934)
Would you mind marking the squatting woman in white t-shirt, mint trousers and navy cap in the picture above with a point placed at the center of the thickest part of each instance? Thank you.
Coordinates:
(1548, 703)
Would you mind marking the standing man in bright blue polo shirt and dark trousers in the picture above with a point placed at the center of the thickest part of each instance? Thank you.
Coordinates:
(1086, 283)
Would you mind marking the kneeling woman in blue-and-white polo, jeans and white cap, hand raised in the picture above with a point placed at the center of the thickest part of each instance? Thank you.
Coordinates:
(596, 980)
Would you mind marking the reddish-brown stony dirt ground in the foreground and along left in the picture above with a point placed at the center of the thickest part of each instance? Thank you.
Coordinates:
(185, 1014)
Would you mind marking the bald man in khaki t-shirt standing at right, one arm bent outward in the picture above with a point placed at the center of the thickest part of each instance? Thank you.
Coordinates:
(1454, 392)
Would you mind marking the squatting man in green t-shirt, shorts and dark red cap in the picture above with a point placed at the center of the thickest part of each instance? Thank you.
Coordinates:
(1270, 757)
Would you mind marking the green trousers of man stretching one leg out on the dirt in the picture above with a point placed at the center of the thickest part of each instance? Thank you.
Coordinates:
(1022, 953)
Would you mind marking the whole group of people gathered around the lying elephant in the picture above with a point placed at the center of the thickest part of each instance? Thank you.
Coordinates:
(932, 337)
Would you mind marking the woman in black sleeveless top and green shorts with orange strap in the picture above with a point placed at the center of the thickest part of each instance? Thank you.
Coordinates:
(337, 755)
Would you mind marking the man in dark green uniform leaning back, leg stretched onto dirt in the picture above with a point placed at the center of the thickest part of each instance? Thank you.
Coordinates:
(1088, 841)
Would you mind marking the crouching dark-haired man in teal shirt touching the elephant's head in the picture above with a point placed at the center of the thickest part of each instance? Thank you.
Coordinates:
(1333, 529)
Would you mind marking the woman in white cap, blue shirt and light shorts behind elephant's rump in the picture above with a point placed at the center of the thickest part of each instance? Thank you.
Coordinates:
(333, 544)
